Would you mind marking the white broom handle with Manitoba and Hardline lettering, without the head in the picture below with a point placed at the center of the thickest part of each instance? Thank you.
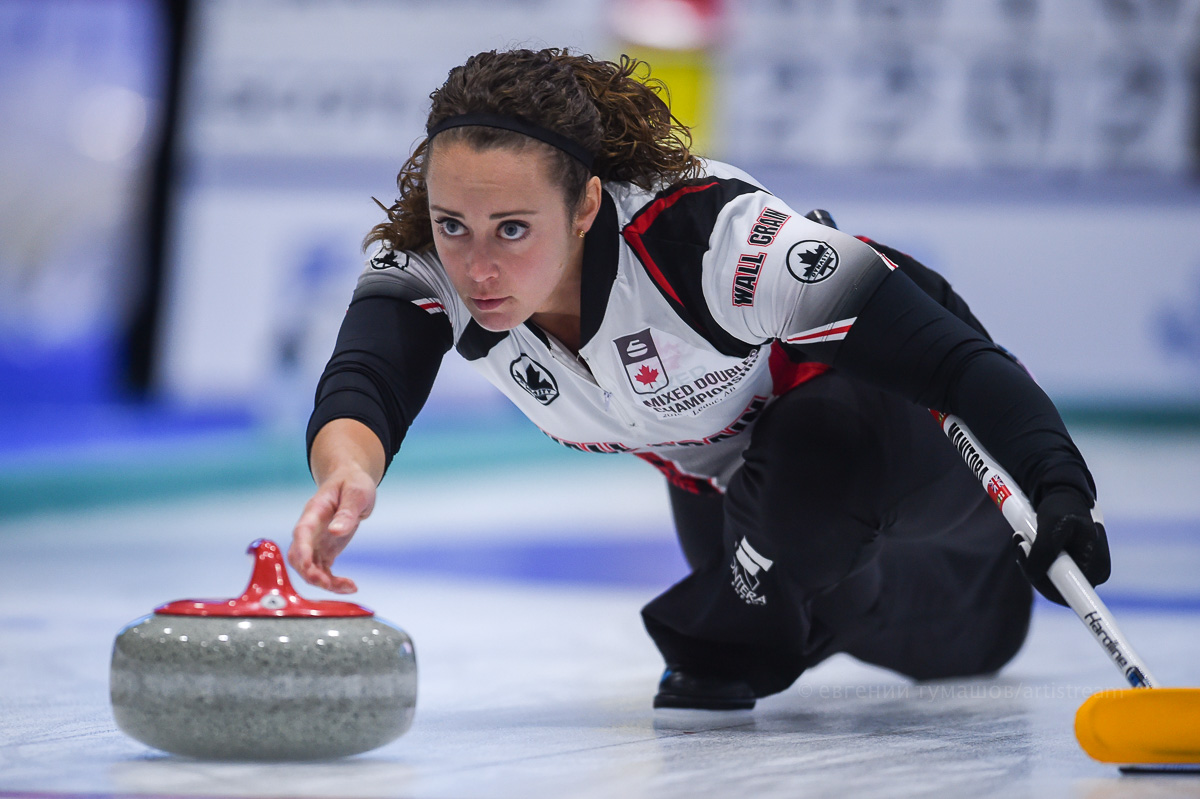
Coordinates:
(1065, 574)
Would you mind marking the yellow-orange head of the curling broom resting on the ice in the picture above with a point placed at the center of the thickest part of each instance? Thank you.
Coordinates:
(1142, 726)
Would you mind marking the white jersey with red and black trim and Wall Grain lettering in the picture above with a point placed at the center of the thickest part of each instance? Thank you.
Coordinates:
(688, 296)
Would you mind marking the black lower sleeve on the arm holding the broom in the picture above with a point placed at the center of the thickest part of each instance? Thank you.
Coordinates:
(907, 343)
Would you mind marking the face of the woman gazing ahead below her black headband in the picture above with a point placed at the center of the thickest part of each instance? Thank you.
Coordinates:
(505, 233)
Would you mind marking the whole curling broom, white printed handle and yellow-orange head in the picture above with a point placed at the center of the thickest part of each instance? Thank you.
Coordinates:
(1143, 729)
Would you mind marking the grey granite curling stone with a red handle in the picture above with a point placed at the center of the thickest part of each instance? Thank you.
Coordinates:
(269, 676)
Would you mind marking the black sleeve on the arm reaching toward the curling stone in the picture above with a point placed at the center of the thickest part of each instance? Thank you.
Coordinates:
(383, 368)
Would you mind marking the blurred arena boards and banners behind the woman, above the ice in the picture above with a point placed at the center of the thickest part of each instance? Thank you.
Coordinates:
(184, 189)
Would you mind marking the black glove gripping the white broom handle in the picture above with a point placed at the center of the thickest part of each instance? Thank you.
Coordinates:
(1065, 524)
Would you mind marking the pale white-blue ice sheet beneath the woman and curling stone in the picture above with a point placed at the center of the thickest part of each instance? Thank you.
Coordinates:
(535, 683)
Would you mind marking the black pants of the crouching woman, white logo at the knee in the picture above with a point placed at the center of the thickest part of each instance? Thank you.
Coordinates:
(855, 527)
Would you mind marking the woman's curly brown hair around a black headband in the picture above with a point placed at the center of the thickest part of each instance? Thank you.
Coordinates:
(614, 110)
